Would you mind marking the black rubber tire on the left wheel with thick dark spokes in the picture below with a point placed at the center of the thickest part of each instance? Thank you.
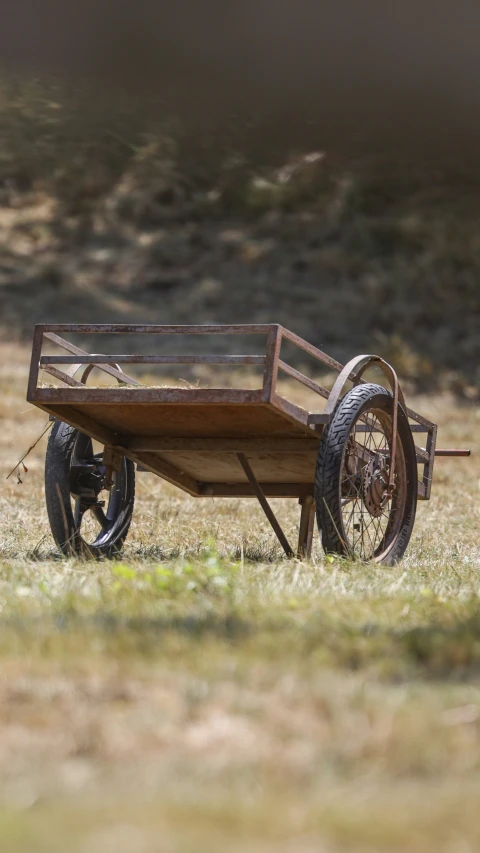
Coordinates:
(58, 499)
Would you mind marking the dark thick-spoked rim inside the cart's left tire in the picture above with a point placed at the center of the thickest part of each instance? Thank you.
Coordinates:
(96, 509)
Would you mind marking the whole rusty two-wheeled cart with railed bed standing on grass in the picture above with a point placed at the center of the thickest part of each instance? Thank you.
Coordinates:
(360, 459)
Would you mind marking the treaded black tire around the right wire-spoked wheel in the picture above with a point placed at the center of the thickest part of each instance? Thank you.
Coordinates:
(330, 465)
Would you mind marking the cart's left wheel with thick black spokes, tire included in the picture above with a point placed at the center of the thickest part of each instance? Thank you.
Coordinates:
(84, 518)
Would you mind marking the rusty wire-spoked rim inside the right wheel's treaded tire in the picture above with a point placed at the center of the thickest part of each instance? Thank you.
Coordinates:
(371, 518)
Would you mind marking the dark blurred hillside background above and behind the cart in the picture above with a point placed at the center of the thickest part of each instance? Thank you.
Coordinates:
(309, 163)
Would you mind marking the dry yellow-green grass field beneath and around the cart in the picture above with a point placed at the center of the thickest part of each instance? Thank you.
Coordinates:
(205, 694)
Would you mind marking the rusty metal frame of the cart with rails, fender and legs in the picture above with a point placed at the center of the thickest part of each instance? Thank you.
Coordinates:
(144, 451)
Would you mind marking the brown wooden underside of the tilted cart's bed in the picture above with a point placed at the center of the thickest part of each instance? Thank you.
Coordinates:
(280, 445)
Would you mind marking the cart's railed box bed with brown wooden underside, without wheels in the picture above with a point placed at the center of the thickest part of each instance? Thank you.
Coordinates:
(192, 436)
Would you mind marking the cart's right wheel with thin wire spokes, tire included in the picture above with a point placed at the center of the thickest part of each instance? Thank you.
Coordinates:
(355, 515)
